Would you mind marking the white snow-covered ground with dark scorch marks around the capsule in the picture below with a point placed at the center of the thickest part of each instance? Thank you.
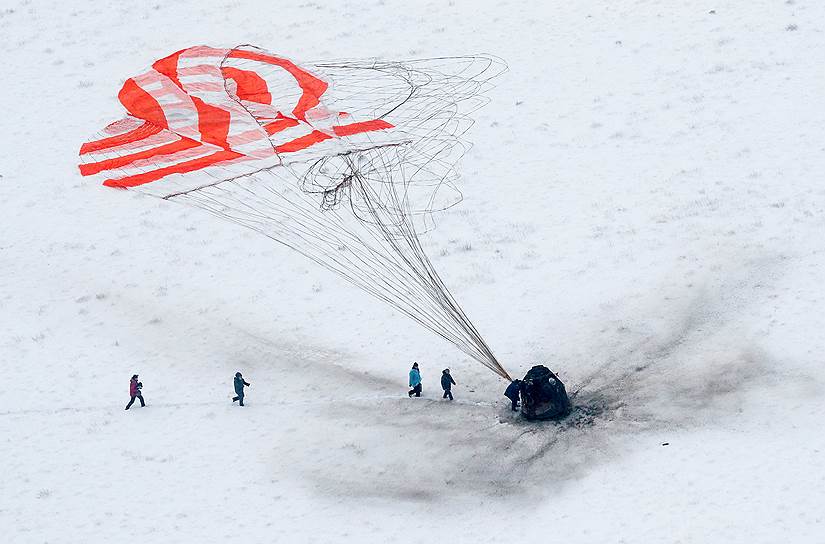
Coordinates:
(644, 212)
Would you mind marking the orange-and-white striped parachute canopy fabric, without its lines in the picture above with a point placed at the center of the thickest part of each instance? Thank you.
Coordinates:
(201, 107)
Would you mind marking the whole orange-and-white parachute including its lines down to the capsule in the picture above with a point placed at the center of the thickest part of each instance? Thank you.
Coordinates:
(344, 161)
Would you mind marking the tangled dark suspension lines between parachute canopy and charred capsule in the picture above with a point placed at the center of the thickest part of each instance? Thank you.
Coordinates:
(359, 213)
